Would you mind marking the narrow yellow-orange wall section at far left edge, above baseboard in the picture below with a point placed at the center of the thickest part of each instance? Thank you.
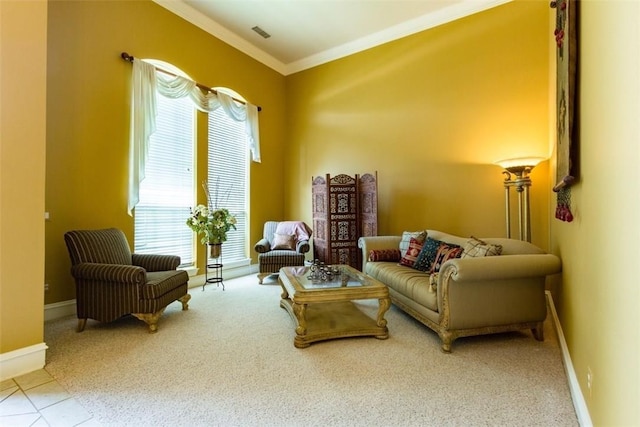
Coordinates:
(23, 70)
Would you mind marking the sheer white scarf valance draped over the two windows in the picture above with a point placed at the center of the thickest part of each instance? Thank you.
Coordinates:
(146, 82)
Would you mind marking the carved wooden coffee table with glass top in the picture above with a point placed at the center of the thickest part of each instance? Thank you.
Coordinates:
(324, 310)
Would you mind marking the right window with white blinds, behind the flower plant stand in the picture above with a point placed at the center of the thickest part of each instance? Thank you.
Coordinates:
(228, 177)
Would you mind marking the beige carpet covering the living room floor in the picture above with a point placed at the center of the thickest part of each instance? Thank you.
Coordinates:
(230, 361)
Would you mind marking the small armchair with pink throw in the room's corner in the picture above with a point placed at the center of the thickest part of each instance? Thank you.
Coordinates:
(284, 244)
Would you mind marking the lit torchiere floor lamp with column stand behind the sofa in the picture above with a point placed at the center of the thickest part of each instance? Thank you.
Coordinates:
(516, 172)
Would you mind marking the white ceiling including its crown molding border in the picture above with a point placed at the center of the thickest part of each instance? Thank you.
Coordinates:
(306, 33)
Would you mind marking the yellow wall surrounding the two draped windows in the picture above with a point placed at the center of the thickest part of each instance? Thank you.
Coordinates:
(88, 115)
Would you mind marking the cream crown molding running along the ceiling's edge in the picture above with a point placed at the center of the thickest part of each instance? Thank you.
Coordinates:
(421, 23)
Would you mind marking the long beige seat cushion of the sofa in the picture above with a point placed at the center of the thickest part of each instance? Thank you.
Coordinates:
(409, 282)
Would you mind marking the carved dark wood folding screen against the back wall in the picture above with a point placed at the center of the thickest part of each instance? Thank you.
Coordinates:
(344, 209)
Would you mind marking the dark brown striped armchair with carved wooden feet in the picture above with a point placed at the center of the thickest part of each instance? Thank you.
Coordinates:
(111, 282)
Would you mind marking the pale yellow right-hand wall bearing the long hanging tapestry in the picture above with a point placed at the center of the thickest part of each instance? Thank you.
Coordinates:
(600, 298)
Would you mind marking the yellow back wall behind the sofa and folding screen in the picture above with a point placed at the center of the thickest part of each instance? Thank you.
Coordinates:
(431, 113)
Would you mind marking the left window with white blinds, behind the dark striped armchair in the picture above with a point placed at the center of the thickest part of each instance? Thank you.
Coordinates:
(167, 192)
